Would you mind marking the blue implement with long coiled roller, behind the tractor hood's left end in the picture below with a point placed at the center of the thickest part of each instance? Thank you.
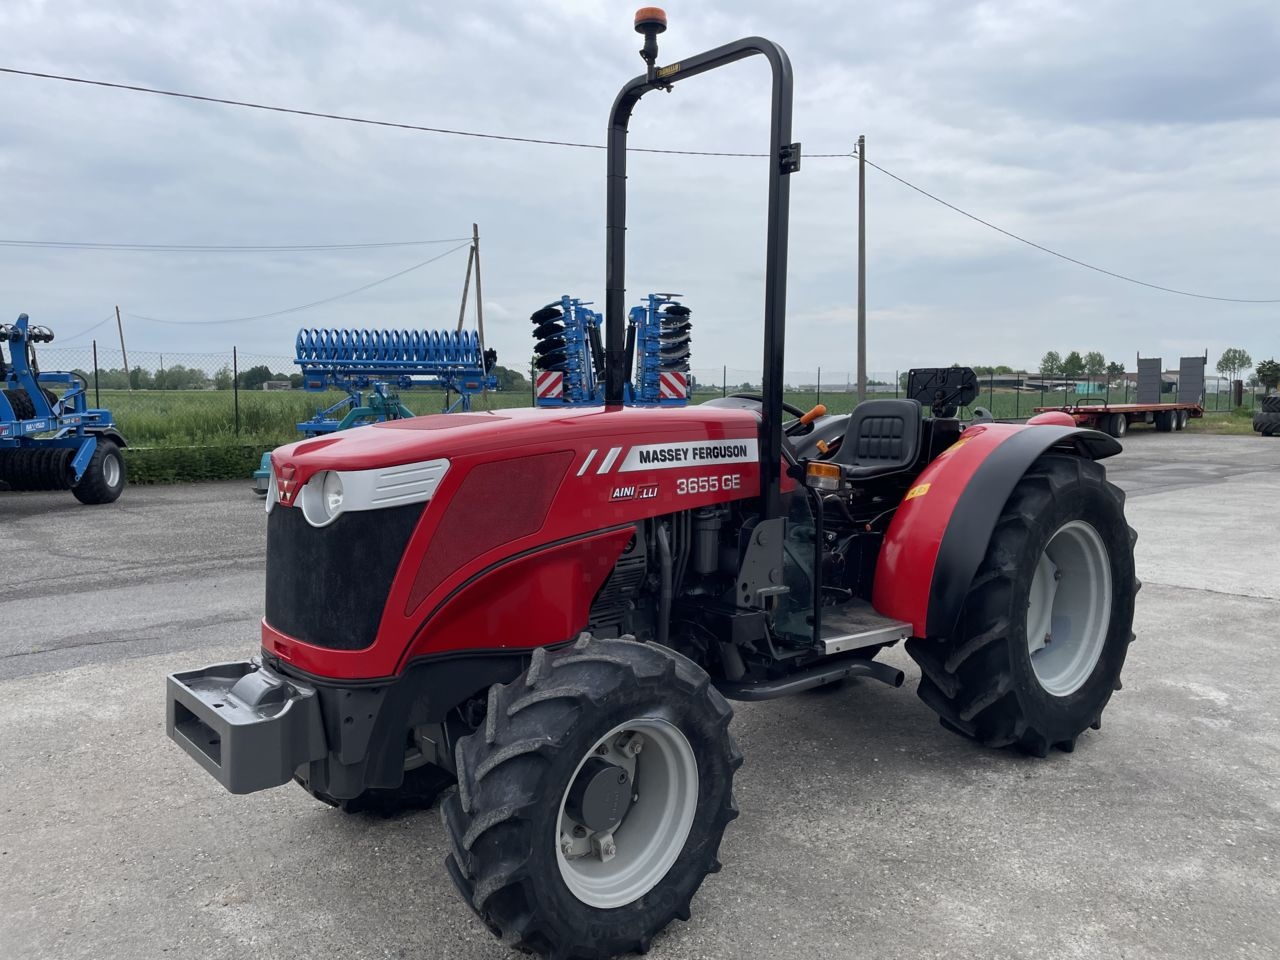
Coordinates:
(372, 367)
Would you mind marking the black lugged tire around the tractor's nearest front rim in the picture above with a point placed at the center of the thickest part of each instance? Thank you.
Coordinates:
(504, 819)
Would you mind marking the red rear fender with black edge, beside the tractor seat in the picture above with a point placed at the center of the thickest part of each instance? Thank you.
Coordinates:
(941, 529)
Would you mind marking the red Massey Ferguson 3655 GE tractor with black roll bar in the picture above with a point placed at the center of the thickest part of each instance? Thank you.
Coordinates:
(557, 605)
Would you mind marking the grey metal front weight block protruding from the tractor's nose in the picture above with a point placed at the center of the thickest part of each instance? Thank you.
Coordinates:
(249, 726)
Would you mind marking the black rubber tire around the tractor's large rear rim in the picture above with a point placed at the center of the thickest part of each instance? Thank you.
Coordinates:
(981, 682)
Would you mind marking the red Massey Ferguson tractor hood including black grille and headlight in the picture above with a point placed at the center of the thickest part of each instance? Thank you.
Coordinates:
(380, 537)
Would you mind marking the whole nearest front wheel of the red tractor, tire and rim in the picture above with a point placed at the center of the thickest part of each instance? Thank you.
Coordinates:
(591, 807)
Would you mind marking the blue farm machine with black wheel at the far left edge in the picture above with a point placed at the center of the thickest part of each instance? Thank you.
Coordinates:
(51, 442)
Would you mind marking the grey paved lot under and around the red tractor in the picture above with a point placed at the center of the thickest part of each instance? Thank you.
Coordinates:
(866, 829)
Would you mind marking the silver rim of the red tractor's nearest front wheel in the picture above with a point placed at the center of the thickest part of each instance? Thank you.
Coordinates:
(655, 829)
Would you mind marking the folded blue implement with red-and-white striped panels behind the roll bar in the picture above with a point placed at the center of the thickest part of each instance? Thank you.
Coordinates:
(570, 355)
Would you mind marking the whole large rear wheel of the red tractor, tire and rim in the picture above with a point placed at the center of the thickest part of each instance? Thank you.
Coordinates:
(1046, 625)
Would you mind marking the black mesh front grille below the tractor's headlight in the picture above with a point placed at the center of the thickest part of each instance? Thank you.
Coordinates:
(328, 587)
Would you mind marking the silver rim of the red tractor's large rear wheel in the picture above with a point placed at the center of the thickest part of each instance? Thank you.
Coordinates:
(1069, 610)
